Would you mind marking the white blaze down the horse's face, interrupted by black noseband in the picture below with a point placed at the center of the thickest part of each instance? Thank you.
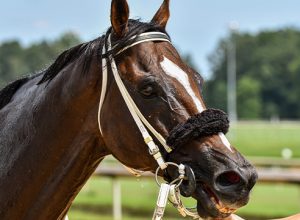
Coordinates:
(176, 72)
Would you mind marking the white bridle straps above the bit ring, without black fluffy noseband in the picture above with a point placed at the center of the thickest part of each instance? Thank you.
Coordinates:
(138, 117)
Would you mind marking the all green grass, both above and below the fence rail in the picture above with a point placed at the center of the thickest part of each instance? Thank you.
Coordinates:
(251, 139)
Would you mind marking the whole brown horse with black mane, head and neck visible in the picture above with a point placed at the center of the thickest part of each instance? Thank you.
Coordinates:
(50, 143)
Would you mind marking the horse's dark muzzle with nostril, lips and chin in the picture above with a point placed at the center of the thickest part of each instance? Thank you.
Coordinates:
(225, 189)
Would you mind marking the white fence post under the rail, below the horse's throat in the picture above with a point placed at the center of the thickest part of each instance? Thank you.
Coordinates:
(117, 203)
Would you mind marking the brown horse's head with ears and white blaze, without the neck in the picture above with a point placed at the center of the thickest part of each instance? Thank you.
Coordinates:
(167, 92)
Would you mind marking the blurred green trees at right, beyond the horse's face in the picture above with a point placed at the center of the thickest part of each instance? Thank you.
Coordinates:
(268, 75)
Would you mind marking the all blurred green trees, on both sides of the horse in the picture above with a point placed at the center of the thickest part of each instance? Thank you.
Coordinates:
(268, 70)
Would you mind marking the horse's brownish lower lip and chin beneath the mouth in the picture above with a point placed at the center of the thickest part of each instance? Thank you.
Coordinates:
(209, 205)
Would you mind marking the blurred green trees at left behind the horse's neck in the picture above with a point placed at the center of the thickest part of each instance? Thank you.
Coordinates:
(17, 60)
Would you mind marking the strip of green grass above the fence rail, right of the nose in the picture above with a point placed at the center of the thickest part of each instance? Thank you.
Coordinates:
(265, 138)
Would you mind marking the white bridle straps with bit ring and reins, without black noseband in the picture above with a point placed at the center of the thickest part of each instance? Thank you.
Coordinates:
(167, 191)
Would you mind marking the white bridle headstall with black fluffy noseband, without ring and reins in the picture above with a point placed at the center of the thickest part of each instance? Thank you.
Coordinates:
(205, 123)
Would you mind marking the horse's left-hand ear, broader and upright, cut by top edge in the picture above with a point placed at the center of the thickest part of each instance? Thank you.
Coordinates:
(119, 17)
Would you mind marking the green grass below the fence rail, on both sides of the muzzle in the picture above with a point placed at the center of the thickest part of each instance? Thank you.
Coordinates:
(139, 197)
